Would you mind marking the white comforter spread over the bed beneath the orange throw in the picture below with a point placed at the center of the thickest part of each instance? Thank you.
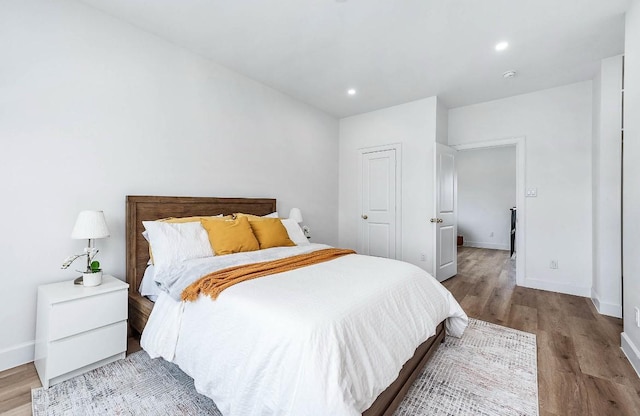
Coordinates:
(321, 340)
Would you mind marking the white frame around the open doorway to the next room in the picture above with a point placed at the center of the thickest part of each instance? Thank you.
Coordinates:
(520, 143)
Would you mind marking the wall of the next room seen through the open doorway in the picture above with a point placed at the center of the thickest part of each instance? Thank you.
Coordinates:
(486, 191)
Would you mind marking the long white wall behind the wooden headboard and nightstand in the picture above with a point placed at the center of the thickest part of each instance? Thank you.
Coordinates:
(93, 109)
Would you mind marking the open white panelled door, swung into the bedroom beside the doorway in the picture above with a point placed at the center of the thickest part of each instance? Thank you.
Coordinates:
(445, 221)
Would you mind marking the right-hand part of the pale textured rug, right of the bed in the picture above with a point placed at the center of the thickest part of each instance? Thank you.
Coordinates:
(491, 370)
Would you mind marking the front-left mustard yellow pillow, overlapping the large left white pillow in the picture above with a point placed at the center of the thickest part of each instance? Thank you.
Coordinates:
(230, 236)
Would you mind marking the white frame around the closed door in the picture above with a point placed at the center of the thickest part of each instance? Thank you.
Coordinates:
(398, 149)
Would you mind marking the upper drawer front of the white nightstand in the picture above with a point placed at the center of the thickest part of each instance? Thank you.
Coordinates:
(79, 315)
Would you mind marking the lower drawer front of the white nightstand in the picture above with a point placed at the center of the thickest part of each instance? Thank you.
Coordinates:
(80, 350)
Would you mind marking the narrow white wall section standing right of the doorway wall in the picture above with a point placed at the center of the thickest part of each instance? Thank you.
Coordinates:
(607, 155)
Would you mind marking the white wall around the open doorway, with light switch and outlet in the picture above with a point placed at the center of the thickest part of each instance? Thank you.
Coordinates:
(557, 127)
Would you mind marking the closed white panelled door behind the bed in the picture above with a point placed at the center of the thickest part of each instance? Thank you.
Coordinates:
(377, 236)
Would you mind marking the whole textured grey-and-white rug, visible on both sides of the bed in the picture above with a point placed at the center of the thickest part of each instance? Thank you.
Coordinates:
(490, 371)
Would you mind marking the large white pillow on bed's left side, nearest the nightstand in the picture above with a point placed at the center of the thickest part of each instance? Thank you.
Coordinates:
(176, 242)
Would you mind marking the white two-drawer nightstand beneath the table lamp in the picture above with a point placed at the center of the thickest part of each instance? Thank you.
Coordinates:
(79, 328)
